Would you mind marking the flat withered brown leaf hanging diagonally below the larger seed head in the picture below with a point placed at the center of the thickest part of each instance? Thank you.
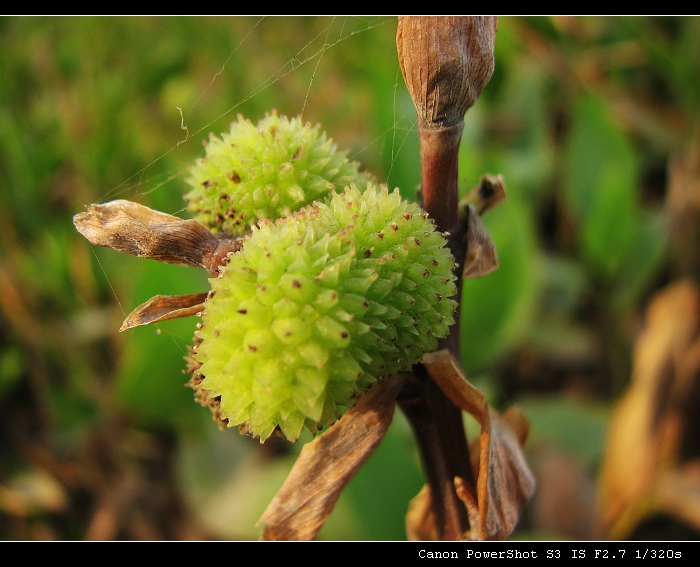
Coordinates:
(326, 464)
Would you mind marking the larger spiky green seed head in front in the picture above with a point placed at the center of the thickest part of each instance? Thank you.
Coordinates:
(319, 305)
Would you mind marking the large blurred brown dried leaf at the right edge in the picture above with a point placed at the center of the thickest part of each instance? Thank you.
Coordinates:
(647, 429)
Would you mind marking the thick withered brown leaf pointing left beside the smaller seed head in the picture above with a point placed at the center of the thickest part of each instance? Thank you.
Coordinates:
(137, 230)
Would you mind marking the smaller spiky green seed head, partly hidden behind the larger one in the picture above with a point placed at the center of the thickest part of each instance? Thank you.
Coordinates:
(265, 171)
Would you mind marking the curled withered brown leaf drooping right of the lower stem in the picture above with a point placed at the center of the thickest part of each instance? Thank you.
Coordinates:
(504, 481)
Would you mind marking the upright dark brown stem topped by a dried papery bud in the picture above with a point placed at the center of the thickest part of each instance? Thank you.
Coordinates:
(446, 62)
